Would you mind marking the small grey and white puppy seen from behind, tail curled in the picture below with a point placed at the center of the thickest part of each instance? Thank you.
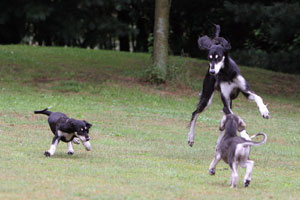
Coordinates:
(235, 150)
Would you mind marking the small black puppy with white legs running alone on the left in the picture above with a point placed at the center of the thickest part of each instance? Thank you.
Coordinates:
(67, 130)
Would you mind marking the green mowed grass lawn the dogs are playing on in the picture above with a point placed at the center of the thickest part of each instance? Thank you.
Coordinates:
(139, 133)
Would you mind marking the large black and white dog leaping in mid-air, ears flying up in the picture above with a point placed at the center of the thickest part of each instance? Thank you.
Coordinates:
(223, 75)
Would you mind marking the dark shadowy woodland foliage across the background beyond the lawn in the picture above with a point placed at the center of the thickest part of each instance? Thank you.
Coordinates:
(263, 33)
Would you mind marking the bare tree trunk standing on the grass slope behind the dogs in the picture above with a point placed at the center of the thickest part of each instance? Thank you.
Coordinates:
(161, 32)
